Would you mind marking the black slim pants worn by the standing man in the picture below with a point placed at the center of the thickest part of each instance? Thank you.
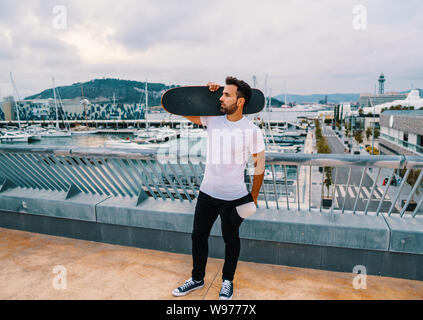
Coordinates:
(206, 211)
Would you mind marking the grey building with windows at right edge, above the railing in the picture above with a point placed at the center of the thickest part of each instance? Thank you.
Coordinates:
(401, 132)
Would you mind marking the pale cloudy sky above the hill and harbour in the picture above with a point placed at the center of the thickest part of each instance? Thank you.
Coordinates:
(317, 46)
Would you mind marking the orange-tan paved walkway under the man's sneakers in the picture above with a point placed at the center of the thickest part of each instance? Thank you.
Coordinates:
(36, 266)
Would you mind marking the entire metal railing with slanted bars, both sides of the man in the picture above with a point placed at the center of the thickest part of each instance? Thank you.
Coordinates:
(293, 182)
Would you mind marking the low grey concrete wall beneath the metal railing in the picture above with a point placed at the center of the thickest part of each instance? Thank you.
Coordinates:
(387, 246)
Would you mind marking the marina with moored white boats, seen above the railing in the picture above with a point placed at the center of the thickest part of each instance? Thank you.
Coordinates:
(282, 131)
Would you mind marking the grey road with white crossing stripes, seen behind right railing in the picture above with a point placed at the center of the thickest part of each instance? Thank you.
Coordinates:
(350, 194)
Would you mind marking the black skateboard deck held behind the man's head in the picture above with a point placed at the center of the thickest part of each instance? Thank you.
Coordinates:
(200, 101)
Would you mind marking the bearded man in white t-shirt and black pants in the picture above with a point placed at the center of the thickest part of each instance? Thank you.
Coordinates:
(223, 191)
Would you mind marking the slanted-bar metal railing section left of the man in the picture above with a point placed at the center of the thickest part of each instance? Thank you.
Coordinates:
(103, 171)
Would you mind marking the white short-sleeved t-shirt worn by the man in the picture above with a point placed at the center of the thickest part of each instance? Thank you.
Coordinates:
(229, 145)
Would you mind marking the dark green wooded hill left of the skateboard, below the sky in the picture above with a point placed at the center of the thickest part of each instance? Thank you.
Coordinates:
(101, 90)
